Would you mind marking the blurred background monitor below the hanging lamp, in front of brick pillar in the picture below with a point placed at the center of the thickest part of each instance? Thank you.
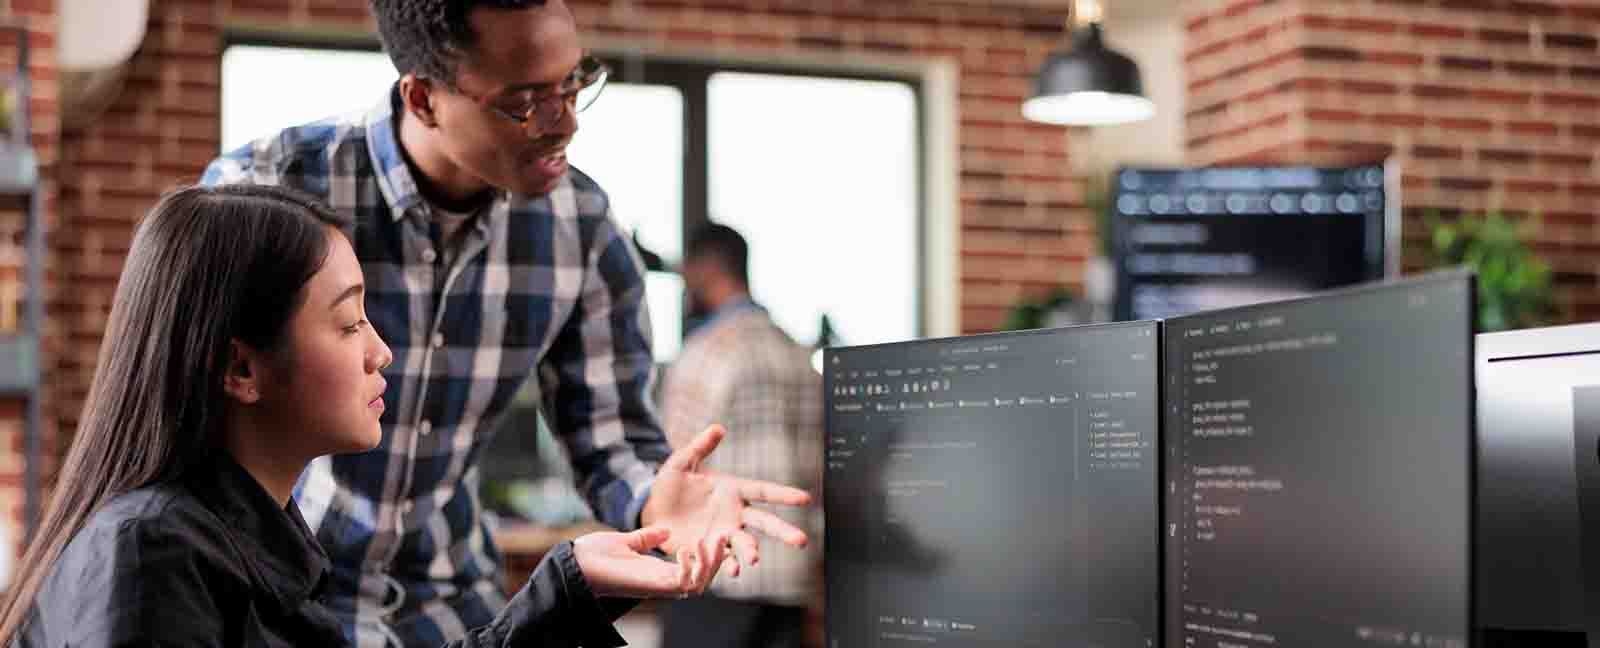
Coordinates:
(1201, 239)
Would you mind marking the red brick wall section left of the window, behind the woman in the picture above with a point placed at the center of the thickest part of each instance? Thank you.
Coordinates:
(161, 132)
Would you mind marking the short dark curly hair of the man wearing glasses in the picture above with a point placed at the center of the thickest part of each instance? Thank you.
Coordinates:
(428, 38)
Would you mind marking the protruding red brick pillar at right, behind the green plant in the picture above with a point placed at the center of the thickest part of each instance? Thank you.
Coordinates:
(1487, 105)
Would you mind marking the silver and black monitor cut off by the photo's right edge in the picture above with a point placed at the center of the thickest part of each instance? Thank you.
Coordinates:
(1537, 446)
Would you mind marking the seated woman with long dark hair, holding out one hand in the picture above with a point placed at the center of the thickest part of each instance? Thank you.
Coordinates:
(236, 353)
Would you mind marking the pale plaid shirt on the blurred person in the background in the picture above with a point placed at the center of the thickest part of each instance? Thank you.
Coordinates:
(745, 372)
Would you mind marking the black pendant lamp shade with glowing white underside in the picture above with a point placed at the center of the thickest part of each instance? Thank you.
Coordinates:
(1089, 87)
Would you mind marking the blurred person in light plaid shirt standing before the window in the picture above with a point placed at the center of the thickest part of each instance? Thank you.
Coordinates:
(737, 367)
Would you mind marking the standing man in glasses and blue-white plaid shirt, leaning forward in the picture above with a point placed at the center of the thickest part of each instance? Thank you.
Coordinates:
(487, 260)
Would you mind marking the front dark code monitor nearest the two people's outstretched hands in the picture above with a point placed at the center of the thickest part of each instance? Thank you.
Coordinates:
(994, 490)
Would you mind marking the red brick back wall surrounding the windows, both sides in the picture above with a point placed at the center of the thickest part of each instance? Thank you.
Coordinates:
(1023, 225)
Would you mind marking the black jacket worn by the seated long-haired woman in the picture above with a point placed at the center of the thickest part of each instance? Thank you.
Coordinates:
(212, 561)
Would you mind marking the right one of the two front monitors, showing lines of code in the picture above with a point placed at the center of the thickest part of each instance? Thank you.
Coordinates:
(1318, 463)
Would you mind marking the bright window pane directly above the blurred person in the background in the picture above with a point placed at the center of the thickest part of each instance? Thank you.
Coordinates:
(820, 175)
